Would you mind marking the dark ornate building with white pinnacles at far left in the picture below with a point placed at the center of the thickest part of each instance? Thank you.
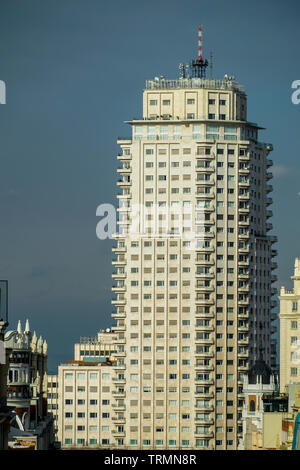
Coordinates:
(32, 426)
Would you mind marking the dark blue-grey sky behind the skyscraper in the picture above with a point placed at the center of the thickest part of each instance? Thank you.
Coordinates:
(75, 71)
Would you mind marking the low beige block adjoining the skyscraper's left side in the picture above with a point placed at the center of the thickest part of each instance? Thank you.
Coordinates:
(85, 405)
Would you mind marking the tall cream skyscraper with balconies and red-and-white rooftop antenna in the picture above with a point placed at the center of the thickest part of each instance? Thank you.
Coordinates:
(193, 268)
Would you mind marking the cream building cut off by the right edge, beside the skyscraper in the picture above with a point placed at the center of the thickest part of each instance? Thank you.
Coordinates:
(290, 331)
